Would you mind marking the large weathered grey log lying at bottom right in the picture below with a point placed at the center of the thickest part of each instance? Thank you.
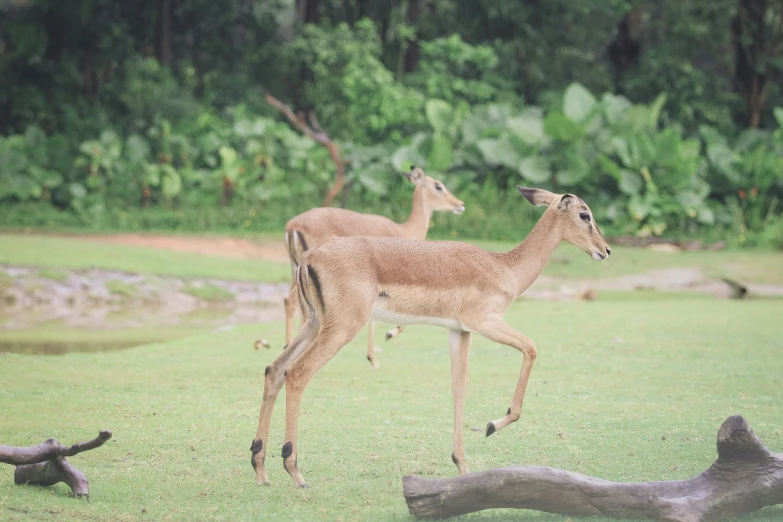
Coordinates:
(746, 477)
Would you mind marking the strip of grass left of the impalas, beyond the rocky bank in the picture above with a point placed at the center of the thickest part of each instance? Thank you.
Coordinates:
(63, 252)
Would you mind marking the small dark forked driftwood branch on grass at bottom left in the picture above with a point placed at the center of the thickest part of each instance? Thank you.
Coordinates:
(45, 464)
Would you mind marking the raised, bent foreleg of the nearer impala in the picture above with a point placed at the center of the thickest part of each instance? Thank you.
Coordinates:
(496, 329)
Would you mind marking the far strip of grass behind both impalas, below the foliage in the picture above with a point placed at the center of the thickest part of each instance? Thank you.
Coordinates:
(59, 252)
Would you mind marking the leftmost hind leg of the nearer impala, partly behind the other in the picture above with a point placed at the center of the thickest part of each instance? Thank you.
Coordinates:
(273, 381)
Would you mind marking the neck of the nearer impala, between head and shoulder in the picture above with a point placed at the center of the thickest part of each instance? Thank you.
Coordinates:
(530, 257)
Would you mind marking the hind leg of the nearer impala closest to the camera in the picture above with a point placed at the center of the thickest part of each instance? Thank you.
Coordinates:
(335, 333)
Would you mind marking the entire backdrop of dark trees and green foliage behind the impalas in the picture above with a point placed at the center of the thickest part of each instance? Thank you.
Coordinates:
(666, 116)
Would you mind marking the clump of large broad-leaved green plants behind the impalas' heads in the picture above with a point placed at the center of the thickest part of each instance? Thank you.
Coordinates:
(655, 176)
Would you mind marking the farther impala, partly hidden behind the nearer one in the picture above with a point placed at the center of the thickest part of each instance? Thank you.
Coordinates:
(311, 228)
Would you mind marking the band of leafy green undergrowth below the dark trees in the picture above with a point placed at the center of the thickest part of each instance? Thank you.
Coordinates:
(641, 177)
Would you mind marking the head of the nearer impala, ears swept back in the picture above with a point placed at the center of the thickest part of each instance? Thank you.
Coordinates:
(574, 220)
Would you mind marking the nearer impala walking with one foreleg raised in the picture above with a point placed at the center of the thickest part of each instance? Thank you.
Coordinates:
(346, 281)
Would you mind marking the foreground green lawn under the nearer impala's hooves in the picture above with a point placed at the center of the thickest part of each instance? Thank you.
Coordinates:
(184, 412)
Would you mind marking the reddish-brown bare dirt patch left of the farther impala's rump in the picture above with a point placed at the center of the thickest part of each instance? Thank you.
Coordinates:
(268, 249)
